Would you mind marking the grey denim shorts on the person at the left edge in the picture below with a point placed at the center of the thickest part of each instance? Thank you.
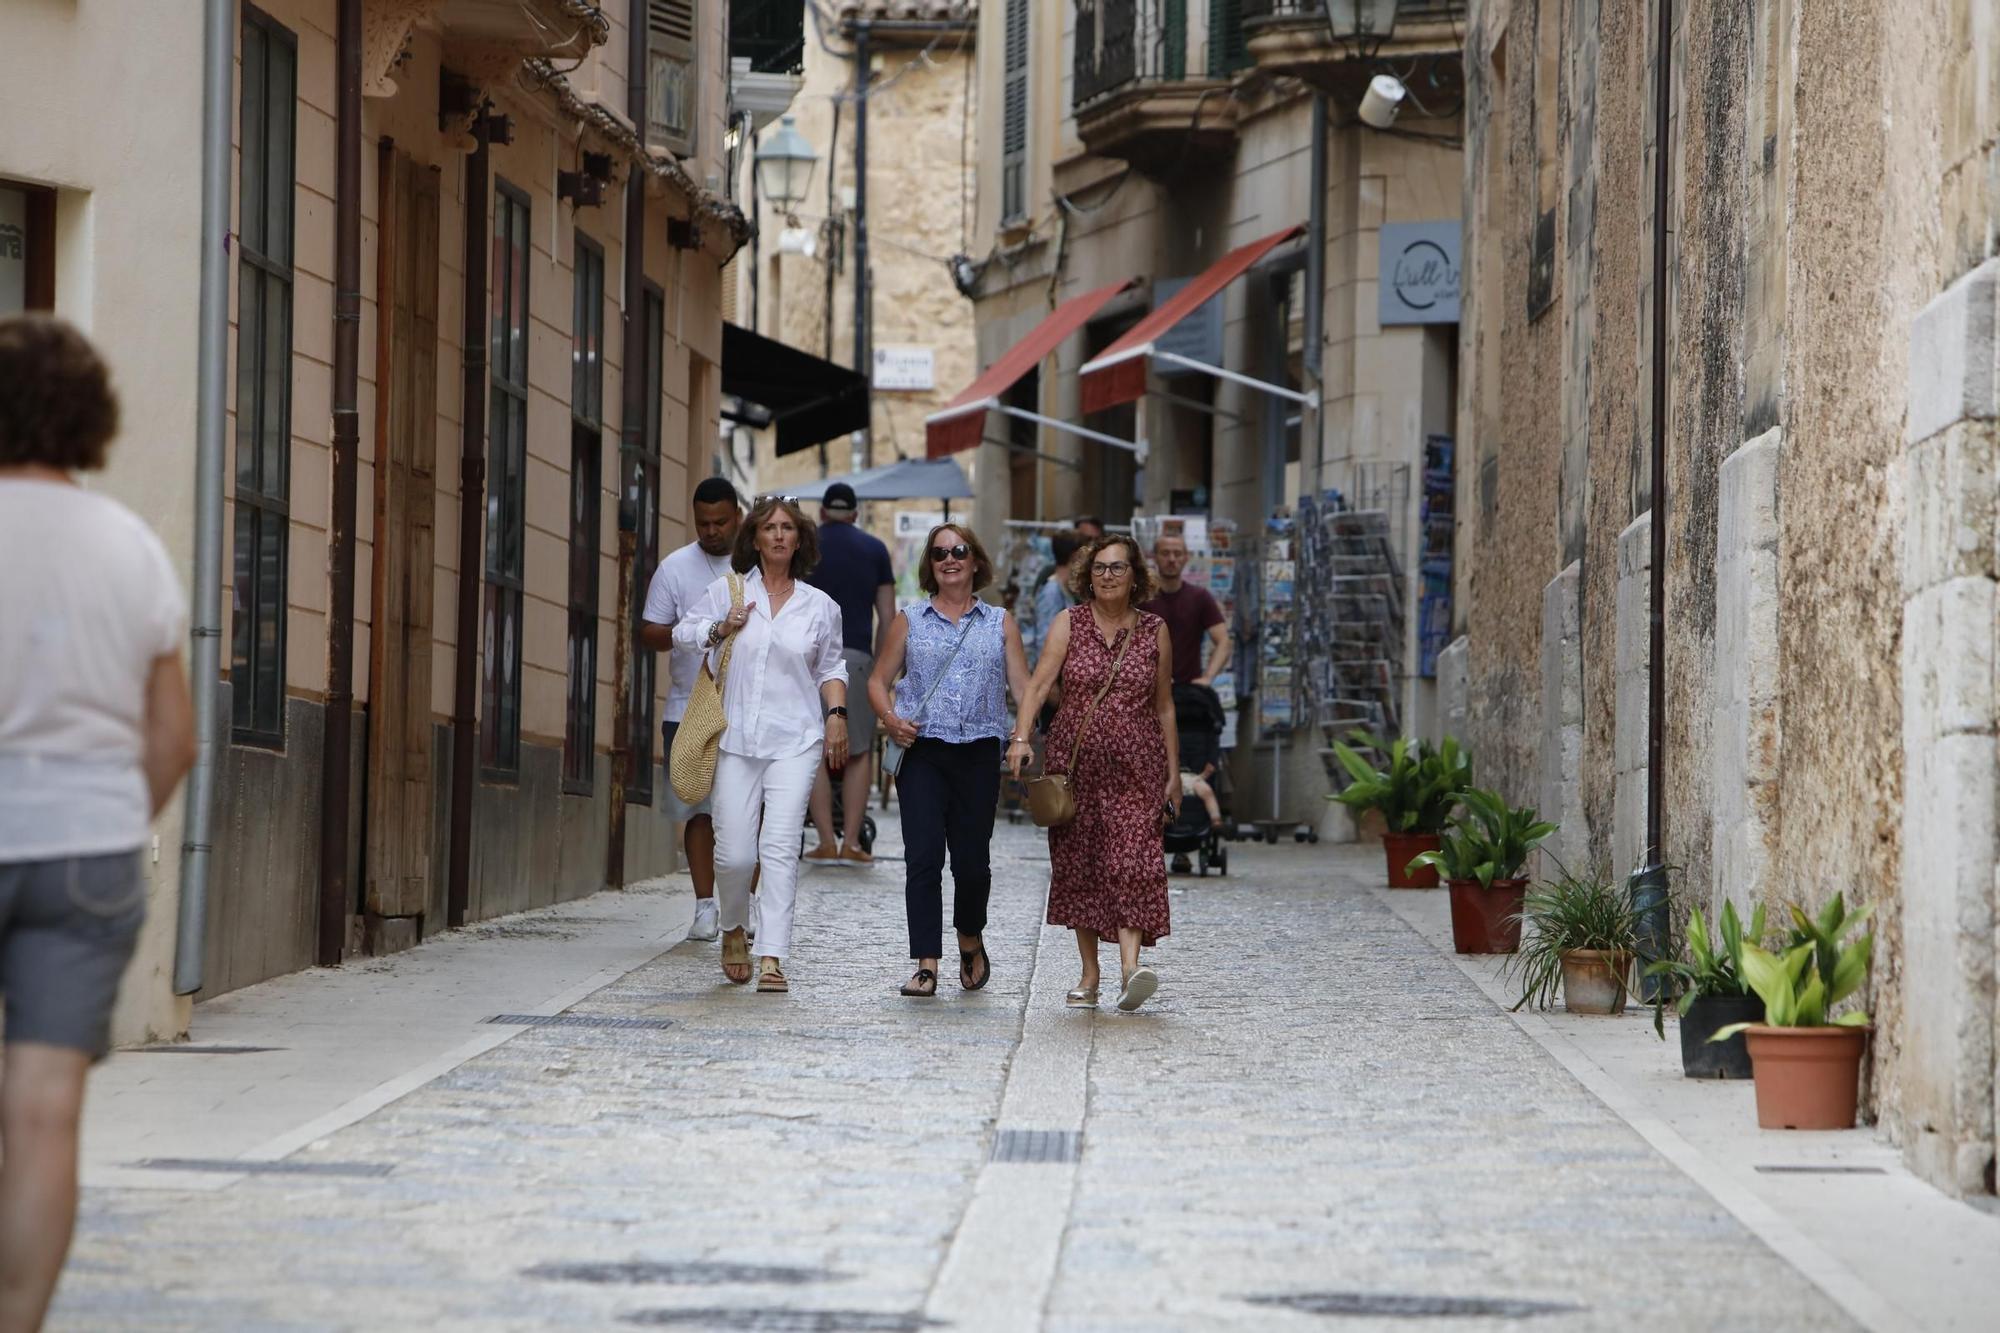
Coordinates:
(67, 934)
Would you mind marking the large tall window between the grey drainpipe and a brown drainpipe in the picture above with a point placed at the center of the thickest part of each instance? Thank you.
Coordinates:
(263, 379)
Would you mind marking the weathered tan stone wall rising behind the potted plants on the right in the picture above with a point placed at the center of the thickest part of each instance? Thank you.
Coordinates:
(1829, 495)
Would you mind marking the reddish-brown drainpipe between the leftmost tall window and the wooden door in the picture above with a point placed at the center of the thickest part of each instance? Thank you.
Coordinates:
(335, 772)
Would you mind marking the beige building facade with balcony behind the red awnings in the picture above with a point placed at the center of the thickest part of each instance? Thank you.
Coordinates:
(1155, 169)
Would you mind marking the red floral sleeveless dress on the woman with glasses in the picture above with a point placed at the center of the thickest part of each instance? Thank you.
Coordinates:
(1109, 864)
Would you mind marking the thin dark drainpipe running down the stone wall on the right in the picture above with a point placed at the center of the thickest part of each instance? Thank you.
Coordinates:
(1649, 892)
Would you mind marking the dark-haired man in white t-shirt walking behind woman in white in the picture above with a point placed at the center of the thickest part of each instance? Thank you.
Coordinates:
(677, 585)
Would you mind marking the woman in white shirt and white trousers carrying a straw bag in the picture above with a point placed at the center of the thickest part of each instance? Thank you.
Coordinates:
(785, 708)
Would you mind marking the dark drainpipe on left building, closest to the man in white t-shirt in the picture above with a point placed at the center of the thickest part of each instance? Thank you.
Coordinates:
(631, 449)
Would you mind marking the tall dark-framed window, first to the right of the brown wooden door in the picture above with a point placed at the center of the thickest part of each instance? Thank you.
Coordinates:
(507, 487)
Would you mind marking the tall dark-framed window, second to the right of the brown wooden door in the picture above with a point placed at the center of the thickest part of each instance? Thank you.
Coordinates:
(587, 507)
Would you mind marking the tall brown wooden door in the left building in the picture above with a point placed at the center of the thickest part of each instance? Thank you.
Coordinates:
(405, 543)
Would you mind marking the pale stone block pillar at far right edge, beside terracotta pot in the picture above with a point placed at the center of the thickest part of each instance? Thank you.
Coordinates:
(1951, 848)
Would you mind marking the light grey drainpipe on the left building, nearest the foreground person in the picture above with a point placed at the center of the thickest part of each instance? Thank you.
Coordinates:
(211, 457)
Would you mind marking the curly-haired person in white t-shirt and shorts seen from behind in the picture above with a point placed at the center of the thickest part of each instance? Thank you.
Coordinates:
(97, 732)
